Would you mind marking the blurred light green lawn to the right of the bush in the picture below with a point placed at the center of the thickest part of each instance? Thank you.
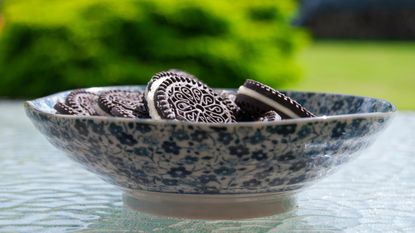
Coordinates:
(378, 69)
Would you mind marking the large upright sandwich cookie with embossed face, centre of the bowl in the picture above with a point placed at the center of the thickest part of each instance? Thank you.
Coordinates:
(177, 97)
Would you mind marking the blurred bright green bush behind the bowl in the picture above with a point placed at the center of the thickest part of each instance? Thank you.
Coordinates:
(52, 45)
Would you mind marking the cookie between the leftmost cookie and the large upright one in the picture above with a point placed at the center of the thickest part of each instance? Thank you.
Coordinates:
(122, 103)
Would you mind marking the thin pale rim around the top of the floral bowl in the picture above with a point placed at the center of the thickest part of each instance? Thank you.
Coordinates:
(29, 105)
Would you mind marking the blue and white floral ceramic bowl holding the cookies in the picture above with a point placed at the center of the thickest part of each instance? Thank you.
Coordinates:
(215, 171)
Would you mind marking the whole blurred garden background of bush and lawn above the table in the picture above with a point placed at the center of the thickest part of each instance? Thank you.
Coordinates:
(354, 47)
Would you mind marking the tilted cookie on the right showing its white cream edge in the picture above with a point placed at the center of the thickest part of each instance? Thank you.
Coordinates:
(256, 99)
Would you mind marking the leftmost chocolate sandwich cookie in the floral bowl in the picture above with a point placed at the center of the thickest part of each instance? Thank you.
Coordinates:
(79, 102)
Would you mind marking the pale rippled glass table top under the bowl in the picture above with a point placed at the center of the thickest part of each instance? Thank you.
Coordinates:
(41, 190)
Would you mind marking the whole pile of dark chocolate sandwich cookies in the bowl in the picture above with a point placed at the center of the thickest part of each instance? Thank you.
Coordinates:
(177, 95)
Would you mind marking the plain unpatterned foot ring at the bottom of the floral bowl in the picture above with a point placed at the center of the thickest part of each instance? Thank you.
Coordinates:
(212, 207)
